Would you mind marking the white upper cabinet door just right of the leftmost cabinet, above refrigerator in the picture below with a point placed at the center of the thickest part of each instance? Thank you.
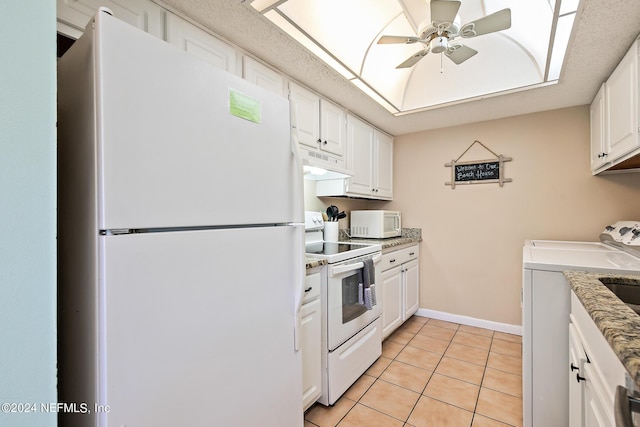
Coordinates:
(201, 44)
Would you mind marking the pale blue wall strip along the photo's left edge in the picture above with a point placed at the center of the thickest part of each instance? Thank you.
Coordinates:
(27, 209)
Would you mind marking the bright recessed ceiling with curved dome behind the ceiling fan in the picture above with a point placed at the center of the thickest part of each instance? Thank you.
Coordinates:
(345, 35)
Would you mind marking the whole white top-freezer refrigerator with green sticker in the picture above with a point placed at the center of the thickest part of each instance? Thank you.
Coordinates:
(181, 240)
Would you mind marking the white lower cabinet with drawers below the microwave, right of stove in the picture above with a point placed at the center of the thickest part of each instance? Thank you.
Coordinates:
(400, 283)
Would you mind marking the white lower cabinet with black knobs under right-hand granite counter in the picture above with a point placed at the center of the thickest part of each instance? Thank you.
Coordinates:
(594, 372)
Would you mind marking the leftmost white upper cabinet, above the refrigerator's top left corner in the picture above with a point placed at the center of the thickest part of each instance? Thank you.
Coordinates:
(73, 15)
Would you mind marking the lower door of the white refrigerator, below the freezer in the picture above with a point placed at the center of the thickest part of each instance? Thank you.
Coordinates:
(197, 328)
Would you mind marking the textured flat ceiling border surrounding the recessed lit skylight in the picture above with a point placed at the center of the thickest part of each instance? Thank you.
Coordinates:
(602, 33)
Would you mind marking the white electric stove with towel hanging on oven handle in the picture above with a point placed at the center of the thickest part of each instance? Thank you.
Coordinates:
(351, 329)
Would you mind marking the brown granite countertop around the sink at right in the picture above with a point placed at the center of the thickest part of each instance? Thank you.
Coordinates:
(619, 324)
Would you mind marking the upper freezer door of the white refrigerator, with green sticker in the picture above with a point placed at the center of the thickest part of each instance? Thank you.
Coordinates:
(182, 143)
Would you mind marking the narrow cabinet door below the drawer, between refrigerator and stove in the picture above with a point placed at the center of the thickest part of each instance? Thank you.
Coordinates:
(311, 352)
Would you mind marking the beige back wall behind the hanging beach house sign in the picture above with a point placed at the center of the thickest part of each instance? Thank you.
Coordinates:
(471, 255)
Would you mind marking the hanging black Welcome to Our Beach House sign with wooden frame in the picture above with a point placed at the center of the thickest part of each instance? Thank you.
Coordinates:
(478, 171)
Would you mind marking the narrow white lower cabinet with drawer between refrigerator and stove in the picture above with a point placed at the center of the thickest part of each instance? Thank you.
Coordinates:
(310, 337)
